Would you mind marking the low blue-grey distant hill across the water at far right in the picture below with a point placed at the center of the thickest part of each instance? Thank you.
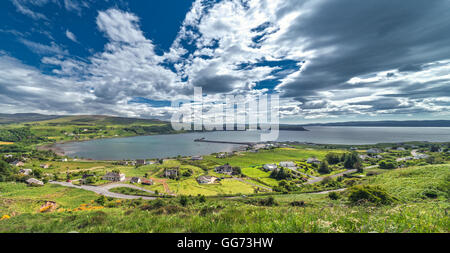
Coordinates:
(393, 123)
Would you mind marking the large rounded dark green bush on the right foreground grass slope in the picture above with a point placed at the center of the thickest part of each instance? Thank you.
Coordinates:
(359, 194)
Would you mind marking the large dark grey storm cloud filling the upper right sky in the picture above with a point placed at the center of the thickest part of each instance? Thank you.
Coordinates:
(367, 37)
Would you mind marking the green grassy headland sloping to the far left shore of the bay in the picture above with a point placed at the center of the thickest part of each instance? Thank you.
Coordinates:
(80, 127)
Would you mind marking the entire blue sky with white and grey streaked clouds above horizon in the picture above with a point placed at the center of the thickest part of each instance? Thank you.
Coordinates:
(329, 60)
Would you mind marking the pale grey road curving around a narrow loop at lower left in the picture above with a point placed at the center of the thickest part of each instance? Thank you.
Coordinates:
(104, 190)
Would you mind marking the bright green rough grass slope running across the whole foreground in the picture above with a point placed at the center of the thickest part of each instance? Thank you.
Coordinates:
(414, 212)
